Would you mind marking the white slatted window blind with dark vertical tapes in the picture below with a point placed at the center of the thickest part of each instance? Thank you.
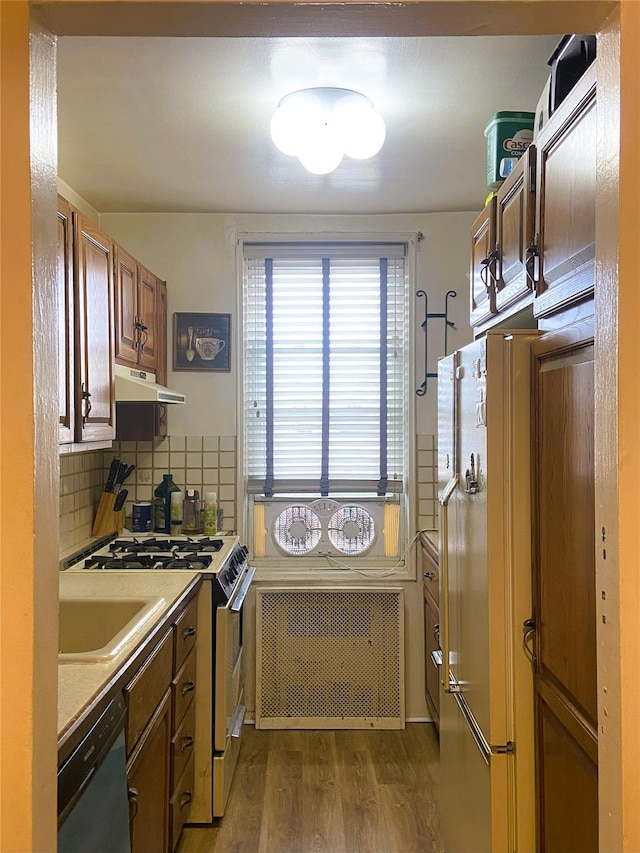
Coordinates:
(325, 368)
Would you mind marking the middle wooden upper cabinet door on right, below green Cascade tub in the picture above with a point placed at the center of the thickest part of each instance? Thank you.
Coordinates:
(515, 221)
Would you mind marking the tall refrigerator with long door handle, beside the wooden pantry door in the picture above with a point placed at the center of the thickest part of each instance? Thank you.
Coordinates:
(486, 693)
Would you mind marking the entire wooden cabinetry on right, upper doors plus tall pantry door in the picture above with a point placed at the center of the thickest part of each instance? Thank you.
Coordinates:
(533, 263)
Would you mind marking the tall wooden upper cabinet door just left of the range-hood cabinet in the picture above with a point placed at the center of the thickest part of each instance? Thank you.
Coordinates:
(94, 375)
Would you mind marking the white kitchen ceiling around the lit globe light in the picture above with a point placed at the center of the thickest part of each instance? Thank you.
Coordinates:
(182, 125)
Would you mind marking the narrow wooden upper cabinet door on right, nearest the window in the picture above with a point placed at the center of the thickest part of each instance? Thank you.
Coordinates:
(483, 258)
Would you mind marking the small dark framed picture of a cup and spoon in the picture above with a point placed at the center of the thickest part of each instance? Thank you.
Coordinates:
(201, 341)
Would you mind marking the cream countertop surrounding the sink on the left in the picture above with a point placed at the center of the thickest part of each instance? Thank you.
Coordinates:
(80, 684)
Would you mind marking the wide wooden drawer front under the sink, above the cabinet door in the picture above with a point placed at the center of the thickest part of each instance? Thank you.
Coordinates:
(145, 691)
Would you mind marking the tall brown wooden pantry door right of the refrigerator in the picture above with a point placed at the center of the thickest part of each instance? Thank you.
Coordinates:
(565, 687)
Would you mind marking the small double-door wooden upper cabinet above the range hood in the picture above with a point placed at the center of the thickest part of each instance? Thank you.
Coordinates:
(136, 308)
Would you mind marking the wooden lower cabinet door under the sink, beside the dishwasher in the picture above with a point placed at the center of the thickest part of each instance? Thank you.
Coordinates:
(148, 772)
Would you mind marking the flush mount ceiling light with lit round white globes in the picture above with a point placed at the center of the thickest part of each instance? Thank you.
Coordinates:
(319, 126)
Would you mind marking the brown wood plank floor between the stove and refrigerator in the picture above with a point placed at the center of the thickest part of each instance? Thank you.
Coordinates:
(330, 792)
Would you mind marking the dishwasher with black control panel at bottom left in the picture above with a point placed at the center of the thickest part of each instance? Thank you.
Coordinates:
(93, 805)
